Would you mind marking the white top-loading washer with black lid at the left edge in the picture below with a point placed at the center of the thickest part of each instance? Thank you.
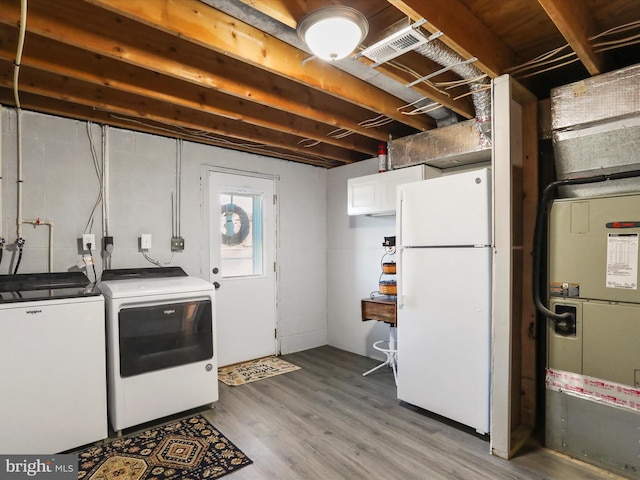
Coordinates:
(52, 363)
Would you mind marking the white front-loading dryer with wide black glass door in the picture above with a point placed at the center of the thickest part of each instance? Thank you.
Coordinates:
(161, 343)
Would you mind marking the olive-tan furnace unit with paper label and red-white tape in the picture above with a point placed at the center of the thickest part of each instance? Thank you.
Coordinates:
(593, 356)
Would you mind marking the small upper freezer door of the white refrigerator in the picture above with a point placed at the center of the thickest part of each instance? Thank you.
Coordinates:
(449, 210)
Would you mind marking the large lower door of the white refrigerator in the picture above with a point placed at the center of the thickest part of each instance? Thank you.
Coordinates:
(444, 332)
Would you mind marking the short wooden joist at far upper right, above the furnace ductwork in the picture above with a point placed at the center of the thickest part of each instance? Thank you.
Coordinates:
(576, 24)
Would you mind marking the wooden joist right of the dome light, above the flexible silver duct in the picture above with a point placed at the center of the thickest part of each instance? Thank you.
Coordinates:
(463, 32)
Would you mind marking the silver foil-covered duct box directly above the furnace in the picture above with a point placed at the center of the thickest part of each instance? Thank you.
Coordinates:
(596, 131)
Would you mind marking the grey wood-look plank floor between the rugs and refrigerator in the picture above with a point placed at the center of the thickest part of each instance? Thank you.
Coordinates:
(328, 422)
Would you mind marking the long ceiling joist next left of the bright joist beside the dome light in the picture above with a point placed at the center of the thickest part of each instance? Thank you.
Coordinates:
(178, 61)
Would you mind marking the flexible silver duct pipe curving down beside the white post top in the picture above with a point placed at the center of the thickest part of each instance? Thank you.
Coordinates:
(440, 53)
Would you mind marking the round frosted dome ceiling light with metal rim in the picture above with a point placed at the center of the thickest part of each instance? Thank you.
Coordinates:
(333, 32)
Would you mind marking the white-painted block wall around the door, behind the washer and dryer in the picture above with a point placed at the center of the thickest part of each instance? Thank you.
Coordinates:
(60, 185)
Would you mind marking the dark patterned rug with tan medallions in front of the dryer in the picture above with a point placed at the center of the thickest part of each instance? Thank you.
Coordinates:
(190, 449)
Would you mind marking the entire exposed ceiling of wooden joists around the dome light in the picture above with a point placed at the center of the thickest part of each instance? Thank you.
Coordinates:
(221, 73)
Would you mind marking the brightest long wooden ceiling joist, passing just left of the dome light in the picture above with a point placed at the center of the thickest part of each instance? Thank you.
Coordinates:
(196, 22)
